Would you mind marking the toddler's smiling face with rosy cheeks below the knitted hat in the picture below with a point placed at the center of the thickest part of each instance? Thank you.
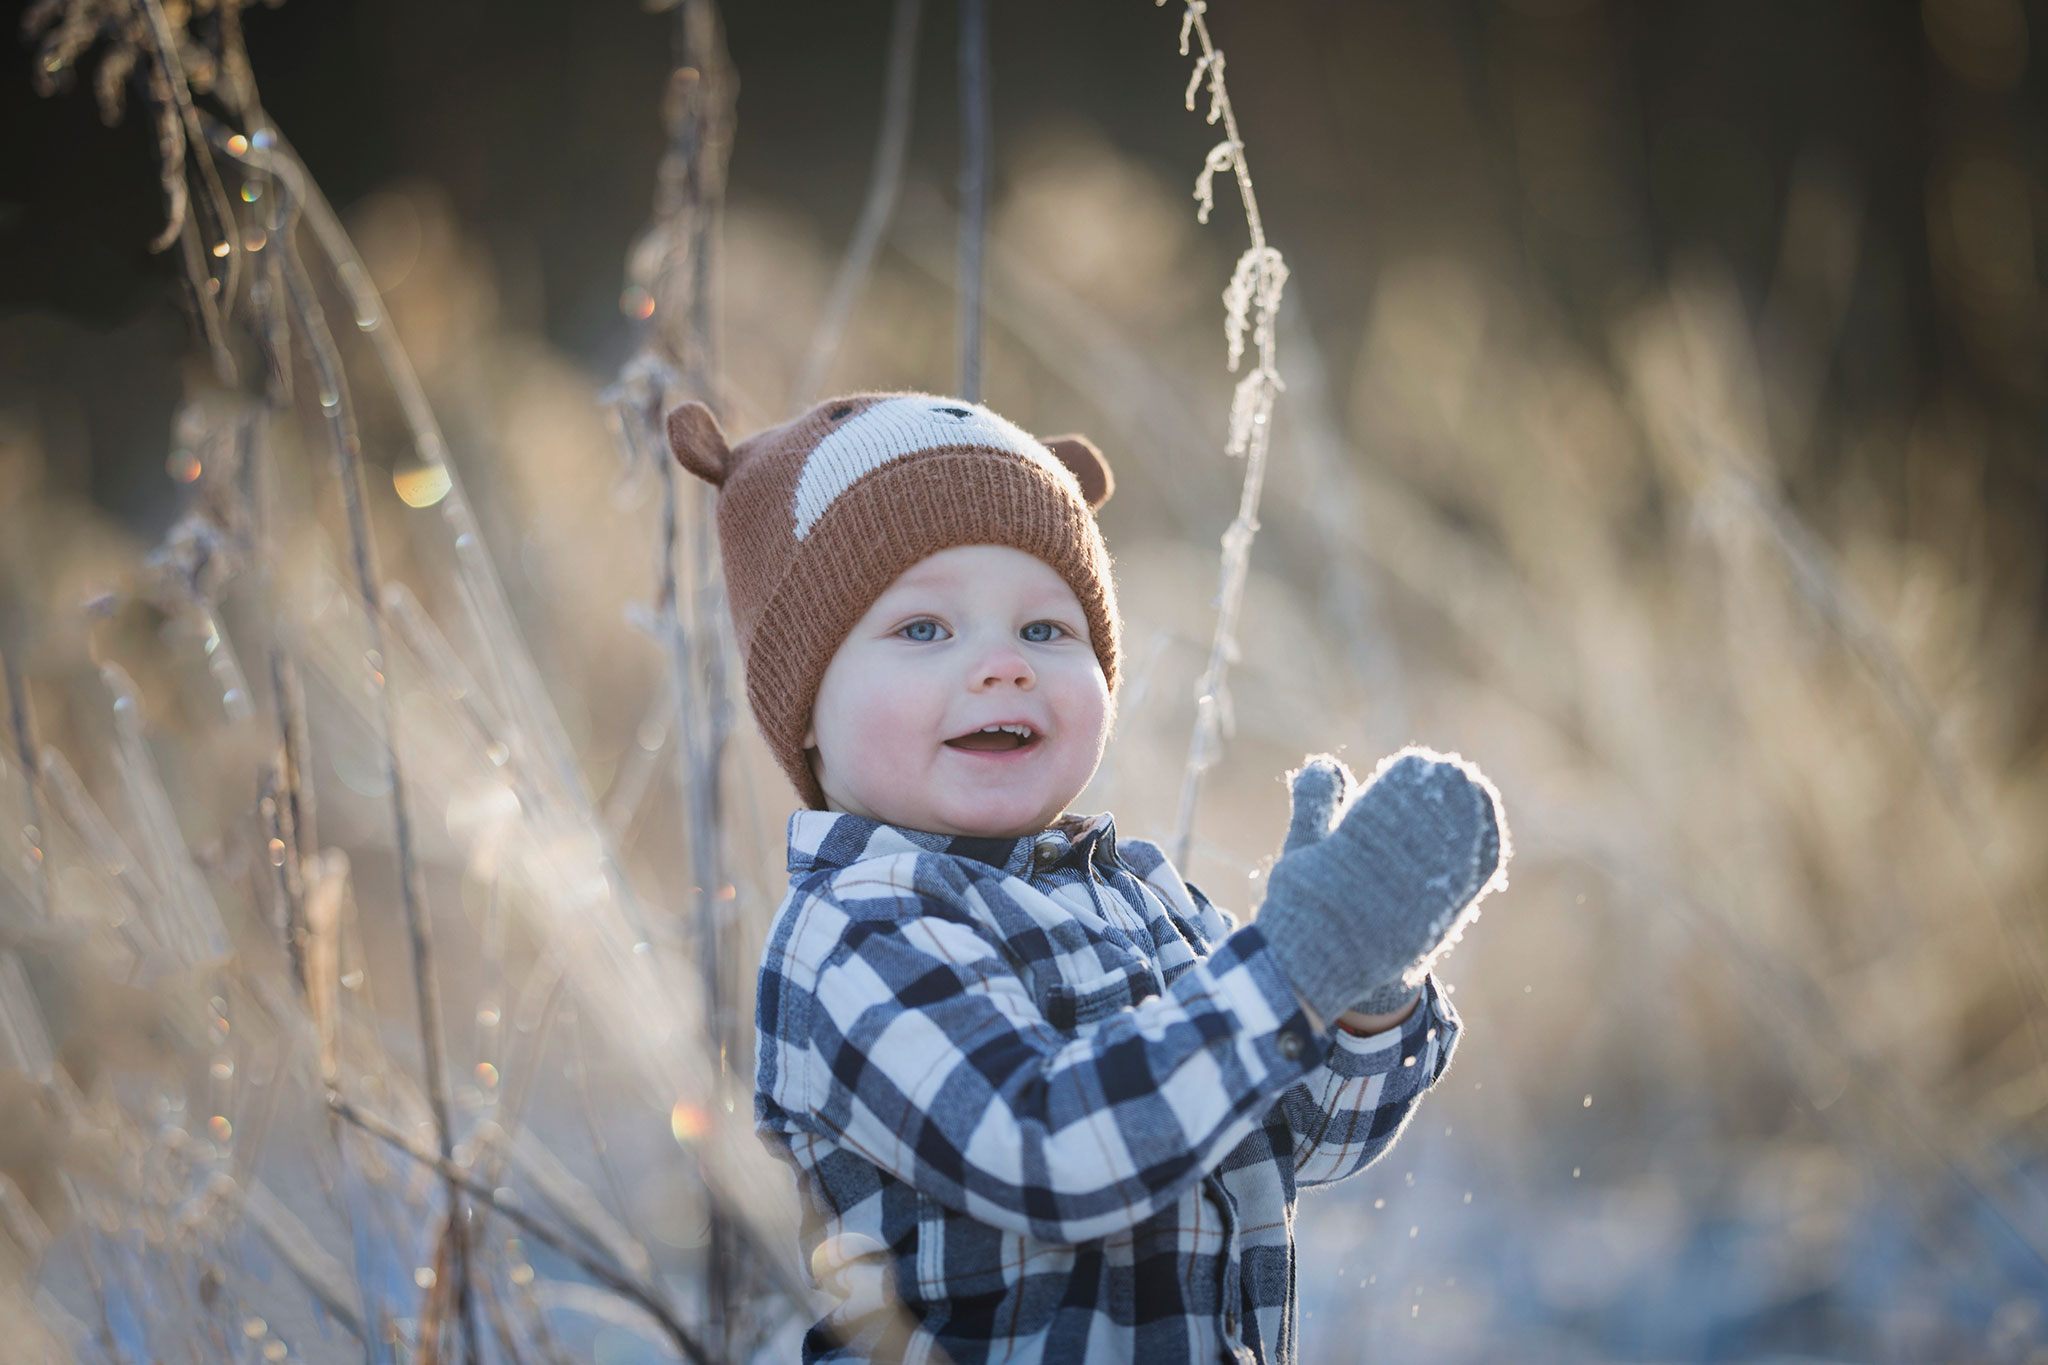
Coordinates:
(972, 637)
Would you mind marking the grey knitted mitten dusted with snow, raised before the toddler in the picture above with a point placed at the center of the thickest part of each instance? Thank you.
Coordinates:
(1373, 885)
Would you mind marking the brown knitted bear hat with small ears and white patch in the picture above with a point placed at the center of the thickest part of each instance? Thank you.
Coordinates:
(820, 515)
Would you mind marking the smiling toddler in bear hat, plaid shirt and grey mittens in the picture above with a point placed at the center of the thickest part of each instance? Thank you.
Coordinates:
(1041, 1098)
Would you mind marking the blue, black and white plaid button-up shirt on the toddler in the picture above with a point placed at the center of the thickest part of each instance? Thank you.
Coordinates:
(1046, 1104)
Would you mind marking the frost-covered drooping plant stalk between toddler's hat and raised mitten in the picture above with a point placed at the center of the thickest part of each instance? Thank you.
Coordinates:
(1250, 304)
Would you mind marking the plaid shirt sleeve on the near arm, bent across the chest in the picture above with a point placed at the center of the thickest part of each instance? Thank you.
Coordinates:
(921, 1049)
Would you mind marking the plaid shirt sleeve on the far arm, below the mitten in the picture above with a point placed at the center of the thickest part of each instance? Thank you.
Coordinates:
(1357, 1102)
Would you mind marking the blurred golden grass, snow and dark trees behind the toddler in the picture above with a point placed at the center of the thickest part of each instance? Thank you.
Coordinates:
(1664, 429)
